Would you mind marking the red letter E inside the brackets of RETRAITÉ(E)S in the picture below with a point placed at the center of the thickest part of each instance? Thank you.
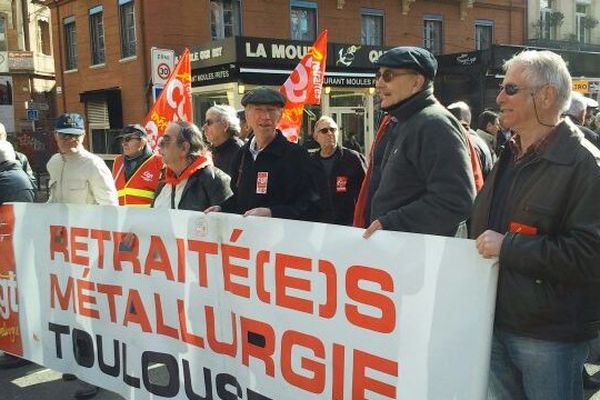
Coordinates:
(283, 282)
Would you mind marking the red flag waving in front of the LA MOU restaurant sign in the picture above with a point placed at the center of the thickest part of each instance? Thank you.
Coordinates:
(303, 87)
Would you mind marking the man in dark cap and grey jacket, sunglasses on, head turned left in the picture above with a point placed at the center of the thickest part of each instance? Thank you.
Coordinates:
(419, 177)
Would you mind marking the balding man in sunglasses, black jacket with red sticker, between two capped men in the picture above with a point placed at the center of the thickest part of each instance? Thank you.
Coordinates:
(344, 169)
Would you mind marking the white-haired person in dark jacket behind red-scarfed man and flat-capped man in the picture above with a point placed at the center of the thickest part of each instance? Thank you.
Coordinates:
(222, 128)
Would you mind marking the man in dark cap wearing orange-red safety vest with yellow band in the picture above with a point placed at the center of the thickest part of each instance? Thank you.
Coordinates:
(136, 172)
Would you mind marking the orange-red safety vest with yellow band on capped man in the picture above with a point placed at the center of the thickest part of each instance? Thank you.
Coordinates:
(138, 191)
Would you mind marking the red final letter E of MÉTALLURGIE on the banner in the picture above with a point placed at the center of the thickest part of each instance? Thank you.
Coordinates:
(361, 382)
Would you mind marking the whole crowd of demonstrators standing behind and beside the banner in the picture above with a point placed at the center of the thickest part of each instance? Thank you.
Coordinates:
(523, 183)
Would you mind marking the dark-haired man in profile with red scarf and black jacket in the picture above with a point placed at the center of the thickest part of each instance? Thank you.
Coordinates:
(191, 181)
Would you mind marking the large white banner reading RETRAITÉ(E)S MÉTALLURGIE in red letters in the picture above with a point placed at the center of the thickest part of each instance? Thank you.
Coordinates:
(178, 304)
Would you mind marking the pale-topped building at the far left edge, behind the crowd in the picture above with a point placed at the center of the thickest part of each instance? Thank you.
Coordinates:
(27, 77)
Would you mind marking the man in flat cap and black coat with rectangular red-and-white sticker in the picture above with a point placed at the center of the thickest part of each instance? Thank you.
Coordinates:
(271, 177)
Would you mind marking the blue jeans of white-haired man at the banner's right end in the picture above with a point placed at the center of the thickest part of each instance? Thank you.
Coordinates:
(532, 369)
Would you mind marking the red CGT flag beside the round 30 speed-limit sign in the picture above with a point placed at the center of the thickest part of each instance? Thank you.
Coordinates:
(174, 102)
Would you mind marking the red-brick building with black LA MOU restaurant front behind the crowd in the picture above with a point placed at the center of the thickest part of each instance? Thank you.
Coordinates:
(103, 49)
